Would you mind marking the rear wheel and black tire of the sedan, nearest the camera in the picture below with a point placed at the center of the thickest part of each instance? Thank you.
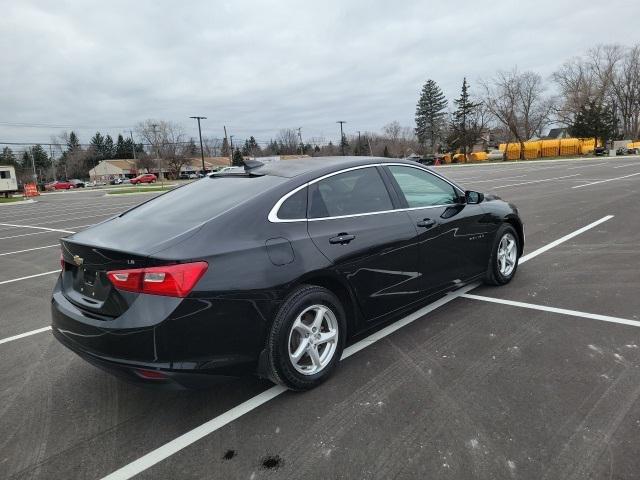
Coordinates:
(306, 339)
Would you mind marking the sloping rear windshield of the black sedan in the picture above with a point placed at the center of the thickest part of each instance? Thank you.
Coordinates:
(203, 199)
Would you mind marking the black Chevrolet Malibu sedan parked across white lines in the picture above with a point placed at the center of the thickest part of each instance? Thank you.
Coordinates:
(273, 269)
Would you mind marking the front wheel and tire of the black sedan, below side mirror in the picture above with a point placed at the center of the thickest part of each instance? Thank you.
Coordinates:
(503, 262)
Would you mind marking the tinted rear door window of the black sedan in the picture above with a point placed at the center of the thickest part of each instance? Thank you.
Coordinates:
(349, 193)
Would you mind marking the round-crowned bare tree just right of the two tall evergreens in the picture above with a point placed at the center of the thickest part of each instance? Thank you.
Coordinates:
(518, 101)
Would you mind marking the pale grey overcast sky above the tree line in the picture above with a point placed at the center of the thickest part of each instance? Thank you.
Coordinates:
(261, 66)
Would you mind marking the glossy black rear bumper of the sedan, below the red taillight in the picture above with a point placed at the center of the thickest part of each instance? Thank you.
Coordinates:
(190, 346)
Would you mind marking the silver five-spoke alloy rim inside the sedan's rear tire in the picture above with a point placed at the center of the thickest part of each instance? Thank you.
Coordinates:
(313, 339)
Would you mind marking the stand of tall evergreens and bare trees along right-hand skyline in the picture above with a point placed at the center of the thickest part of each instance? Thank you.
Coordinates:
(597, 95)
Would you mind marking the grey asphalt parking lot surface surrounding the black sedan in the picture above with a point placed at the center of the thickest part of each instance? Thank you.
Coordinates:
(538, 379)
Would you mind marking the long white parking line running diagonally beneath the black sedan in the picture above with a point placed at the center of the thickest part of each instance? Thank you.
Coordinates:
(192, 436)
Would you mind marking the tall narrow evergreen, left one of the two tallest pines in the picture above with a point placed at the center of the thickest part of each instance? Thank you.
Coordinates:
(430, 113)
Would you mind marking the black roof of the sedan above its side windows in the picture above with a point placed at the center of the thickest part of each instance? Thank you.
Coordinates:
(319, 165)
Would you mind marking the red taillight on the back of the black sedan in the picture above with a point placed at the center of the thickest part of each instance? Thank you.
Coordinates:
(171, 280)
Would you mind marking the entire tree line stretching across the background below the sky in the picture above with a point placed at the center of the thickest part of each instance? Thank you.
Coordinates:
(596, 95)
